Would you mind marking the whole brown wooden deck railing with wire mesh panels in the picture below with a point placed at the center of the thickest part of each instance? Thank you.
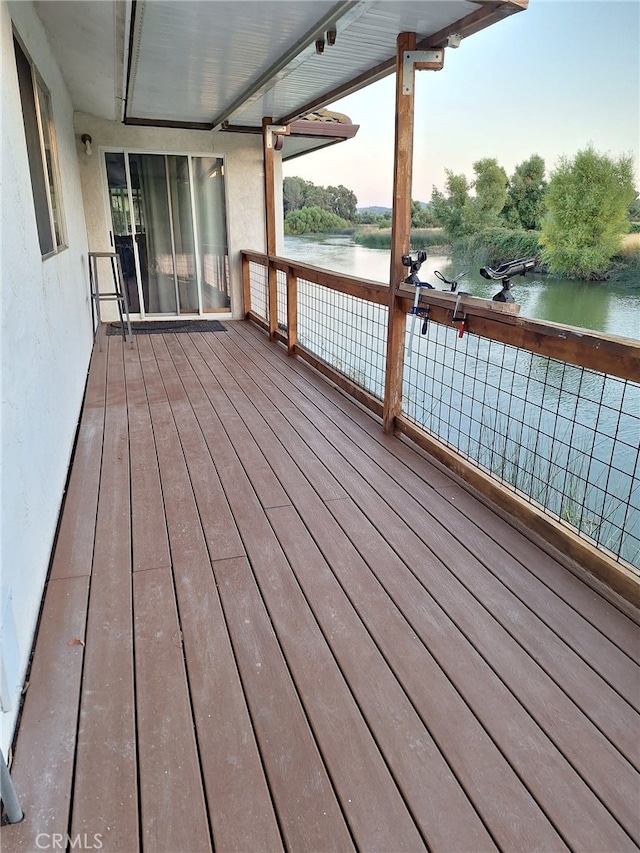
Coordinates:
(613, 364)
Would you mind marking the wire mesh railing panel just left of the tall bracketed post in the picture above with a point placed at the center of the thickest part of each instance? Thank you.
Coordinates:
(348, 333)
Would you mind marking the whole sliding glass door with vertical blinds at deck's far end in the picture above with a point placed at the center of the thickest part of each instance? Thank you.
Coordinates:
(169, 228)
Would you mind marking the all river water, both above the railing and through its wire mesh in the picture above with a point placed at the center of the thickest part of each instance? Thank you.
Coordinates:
(569, 441)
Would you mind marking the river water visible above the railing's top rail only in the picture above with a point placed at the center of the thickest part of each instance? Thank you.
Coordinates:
(600, 306)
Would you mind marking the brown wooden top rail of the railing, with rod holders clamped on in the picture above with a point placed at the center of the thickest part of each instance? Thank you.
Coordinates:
(616, 356)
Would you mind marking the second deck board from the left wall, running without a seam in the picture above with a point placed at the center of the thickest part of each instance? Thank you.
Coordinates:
(106, 788)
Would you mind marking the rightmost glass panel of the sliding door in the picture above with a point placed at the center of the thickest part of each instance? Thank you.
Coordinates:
(208, 185)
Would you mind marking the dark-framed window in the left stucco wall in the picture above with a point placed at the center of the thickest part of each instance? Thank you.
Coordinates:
(43, 165)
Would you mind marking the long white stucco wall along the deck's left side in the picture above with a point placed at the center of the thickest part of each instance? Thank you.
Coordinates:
(46, 345)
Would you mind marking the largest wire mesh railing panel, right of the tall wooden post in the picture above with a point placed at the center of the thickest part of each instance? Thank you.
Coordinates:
(565, 438)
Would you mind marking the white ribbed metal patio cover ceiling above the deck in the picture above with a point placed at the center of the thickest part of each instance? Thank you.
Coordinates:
(219, 63)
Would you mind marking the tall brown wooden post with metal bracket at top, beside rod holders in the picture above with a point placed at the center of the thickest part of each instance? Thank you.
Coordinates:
(400, 236)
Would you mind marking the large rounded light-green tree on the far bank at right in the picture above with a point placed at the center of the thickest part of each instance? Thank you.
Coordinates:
(587, 204)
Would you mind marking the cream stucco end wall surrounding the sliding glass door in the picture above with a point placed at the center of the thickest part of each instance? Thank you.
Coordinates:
(244, 182)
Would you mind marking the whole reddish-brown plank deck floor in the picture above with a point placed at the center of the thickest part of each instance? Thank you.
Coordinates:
(270, 626)
